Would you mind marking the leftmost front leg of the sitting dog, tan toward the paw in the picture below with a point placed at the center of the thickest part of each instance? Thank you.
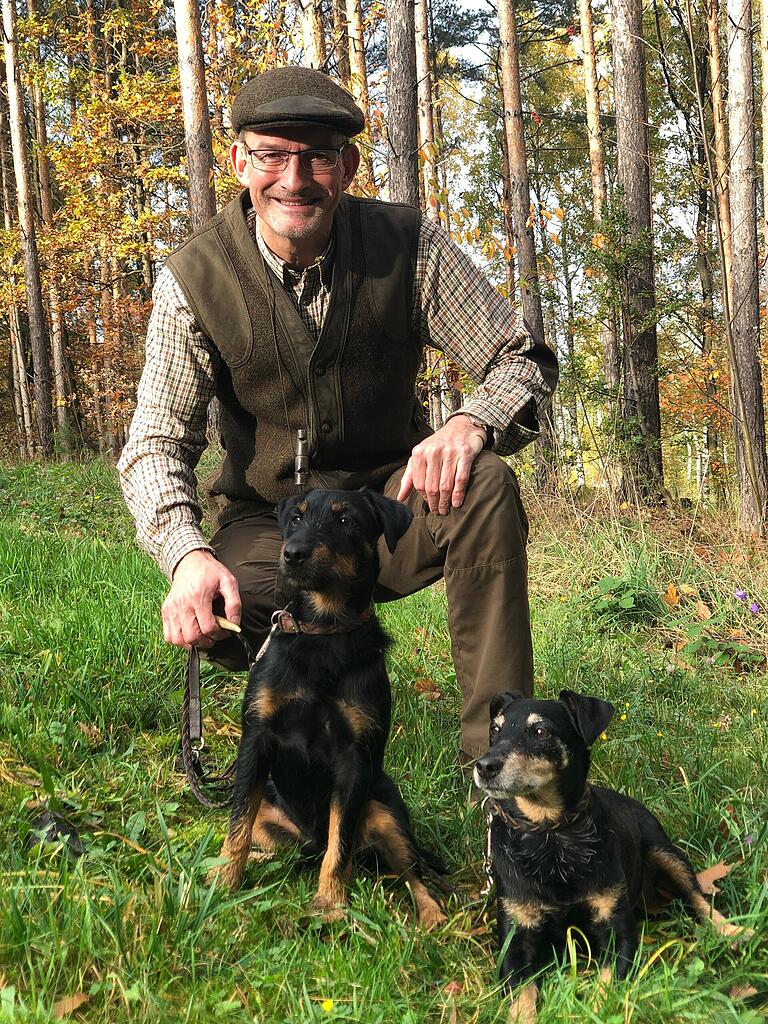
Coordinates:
(249, 789)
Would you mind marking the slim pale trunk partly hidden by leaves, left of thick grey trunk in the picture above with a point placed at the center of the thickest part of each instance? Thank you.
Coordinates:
(612, 355)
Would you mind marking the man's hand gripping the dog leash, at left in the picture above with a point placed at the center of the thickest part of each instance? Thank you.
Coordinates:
(188, 611)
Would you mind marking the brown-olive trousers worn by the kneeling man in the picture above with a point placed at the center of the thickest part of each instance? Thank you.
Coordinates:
(480, 550)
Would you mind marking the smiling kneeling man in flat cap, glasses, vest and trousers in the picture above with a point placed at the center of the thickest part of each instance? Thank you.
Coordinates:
(304, 309)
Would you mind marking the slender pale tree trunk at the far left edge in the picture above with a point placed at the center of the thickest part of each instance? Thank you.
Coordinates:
(36, 314)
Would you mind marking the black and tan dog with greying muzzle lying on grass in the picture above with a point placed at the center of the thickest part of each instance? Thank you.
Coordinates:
(566, 854)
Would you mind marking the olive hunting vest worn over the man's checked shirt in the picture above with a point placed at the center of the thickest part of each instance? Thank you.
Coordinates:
(354, 391)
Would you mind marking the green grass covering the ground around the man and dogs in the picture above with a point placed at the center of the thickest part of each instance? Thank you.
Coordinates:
(90, 705)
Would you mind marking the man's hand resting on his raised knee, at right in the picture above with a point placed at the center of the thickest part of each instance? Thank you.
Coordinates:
(439, 467)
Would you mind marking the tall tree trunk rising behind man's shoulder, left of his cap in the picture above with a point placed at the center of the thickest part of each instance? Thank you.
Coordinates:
(195, 105)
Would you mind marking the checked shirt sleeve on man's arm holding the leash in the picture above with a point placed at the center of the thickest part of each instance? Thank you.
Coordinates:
(168, 431)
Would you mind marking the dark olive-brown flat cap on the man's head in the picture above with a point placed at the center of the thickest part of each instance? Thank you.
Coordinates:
(289, 97)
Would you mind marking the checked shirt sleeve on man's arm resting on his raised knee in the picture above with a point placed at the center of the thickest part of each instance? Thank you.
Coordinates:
(459, 312)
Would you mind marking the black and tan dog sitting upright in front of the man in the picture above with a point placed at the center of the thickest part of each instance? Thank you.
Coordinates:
(318, 706)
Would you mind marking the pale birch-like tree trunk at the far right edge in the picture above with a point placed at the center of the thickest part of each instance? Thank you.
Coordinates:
(748, 380)
